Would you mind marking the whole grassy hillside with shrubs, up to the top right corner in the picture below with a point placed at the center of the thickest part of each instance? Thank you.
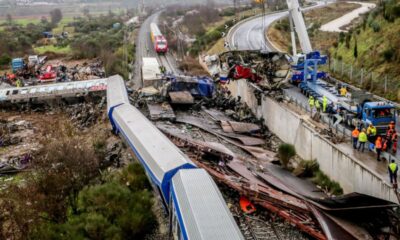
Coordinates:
(377, 39)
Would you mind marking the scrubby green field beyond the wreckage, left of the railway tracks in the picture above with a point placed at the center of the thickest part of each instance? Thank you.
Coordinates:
(88, 37)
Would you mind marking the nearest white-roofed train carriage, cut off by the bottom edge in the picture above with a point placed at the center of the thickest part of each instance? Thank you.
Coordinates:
(201, 209)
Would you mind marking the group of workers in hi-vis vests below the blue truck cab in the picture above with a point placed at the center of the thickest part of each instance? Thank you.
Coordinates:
(387, 142)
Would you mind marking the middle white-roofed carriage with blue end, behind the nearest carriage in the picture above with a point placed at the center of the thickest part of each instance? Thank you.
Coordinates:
(161, 158)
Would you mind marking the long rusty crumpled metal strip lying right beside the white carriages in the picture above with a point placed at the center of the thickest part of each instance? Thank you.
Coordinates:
(288, 207)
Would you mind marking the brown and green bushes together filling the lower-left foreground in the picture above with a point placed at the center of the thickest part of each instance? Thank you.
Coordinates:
(65, 195)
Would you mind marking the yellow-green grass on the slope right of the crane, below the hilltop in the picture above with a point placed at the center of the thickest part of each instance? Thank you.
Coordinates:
(371, 46)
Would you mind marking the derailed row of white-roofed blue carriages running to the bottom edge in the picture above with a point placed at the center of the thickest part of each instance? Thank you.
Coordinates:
(195, 205)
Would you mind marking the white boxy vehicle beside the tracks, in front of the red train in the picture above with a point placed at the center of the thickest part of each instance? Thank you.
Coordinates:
(151, 72)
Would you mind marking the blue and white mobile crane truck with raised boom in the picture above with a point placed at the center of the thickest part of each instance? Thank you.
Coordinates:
(356, 108)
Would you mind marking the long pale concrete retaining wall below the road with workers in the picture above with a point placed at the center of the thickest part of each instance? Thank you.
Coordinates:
(350, 173)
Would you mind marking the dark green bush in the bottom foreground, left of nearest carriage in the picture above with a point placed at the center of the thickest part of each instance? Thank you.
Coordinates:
(120, 208)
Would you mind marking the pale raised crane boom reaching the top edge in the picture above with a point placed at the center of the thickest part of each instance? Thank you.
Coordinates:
(298, 20)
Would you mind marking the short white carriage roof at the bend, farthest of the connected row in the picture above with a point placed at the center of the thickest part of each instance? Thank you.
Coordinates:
(116, 92)
